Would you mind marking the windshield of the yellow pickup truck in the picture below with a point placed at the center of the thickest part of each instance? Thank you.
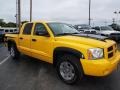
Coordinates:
(62, 29)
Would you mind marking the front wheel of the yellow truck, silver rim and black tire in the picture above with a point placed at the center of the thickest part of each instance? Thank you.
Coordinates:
(69, 69)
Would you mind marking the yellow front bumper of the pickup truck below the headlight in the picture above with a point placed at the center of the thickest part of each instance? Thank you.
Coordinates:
(100, 67)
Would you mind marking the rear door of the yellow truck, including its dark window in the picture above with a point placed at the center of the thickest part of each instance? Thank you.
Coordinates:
(25, 39)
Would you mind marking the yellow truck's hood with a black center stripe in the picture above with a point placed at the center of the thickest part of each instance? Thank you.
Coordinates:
(92, 40)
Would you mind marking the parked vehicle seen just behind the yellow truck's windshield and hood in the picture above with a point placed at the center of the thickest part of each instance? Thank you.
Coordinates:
(85, 29)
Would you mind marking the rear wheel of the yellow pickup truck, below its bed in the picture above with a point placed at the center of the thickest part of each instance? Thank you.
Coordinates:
(14, 52)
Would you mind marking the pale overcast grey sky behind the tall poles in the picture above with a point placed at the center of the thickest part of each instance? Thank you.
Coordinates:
(70, 11)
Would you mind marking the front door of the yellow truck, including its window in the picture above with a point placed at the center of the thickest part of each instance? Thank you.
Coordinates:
(41, 45)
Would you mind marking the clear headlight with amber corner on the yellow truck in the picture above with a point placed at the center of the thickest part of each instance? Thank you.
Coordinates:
(95, 53)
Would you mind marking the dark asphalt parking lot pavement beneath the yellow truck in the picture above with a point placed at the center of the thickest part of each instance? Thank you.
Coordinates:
(31, 74)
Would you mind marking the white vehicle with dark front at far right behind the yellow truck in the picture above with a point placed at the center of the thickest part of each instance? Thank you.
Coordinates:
(109, 32)
